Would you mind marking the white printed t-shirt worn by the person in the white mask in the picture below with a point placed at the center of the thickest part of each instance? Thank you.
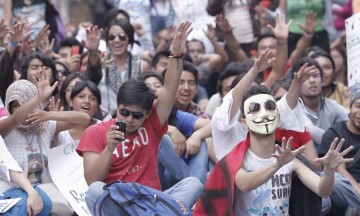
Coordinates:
(271, 198)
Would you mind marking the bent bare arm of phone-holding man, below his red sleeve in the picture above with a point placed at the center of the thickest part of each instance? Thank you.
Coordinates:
(99, 168)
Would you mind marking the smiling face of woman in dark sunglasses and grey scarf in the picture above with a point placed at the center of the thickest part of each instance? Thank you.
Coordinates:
(117, 40)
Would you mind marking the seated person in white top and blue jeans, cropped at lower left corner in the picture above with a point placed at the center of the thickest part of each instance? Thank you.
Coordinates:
(14, 184)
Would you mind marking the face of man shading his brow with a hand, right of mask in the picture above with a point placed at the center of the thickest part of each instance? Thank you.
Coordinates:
(312, 87)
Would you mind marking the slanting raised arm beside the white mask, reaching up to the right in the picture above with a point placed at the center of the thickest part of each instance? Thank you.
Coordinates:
(261, 63)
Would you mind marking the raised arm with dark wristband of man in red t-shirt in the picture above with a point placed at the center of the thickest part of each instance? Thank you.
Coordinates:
(166, 97)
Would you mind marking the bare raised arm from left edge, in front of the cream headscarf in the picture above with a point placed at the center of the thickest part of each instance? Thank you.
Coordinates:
(20, 115)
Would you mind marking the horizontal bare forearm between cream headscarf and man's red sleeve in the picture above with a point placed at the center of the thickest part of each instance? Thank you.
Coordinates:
(72, 117)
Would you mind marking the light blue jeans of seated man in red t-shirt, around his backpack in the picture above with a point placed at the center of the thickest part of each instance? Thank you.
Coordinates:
(187, 191)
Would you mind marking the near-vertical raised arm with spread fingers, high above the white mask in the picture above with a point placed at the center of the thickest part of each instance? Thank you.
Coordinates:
(281, 32)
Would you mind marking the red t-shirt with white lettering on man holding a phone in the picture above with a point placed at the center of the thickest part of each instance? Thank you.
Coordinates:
(134, 160)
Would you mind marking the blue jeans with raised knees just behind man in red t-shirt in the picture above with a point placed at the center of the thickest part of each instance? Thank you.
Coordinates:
(173, 168)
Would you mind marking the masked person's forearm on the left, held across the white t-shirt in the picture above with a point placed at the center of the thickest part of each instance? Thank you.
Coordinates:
(248, 181)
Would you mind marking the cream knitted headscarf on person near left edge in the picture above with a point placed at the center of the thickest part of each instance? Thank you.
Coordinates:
(23, 91)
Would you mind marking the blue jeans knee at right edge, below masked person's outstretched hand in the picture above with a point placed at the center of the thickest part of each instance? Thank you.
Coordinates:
(343, 194)
